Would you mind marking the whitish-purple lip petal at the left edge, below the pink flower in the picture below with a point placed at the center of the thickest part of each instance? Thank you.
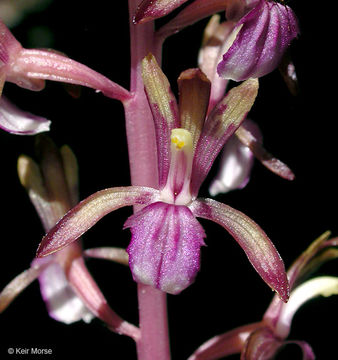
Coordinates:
(19, 122)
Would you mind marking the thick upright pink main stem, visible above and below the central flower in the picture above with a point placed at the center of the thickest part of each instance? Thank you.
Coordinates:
(154, 340)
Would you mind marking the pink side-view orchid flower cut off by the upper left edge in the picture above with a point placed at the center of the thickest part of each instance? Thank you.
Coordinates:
(29, 68)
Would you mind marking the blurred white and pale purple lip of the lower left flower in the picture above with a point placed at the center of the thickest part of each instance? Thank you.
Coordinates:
(62, 303)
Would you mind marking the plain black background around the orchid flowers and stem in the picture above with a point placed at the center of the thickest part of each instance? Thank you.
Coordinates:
(301, 131)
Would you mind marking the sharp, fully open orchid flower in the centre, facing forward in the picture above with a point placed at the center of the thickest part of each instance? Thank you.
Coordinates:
(164, 251)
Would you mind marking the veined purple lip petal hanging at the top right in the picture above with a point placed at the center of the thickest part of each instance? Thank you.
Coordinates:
(263, 36)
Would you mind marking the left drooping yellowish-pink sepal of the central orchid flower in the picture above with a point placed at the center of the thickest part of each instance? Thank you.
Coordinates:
(89, 211)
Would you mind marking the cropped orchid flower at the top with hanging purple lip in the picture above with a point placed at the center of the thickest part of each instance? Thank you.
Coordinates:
(258, 32)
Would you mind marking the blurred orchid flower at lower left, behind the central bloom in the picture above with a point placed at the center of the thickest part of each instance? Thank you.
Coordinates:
(69, 291)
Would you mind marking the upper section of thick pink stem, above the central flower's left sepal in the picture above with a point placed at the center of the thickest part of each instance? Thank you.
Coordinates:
(139, 121)
